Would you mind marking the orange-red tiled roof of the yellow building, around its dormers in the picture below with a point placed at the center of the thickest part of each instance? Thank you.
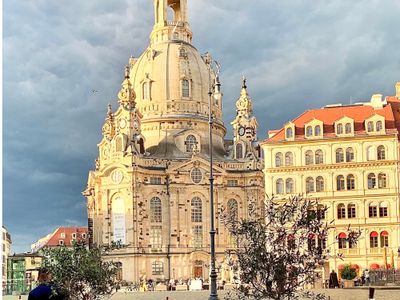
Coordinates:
(329, 115)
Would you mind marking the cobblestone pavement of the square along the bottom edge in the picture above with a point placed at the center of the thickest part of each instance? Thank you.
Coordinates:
(337, 294)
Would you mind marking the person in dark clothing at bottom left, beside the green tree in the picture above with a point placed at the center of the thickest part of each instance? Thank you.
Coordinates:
(46, 290)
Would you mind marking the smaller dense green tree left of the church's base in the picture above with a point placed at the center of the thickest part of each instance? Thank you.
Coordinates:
(79, 272)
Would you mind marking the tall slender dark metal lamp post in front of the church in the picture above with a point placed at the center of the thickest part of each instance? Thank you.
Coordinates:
(213, 273)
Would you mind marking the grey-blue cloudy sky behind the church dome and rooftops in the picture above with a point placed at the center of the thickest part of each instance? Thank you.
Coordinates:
(296, 55)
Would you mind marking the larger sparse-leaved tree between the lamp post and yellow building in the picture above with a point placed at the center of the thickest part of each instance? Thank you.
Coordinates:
(279, 250)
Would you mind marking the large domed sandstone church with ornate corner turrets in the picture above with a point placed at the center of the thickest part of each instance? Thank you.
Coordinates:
(150, 188)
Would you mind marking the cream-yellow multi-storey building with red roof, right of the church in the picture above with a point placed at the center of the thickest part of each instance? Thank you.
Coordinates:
(348, 157)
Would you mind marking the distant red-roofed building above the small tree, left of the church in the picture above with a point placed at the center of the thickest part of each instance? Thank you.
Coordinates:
(62, 236)
